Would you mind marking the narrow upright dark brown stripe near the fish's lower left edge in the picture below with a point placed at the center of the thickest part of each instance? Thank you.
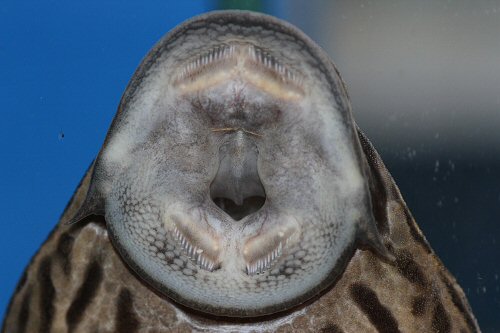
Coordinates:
(47, 294)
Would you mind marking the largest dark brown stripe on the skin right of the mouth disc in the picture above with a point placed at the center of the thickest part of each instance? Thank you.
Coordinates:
(379, 315)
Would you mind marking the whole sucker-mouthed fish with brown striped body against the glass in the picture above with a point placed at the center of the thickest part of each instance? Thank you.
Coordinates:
(246, 224)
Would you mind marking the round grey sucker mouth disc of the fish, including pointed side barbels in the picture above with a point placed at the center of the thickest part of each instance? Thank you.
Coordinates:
(249, 106)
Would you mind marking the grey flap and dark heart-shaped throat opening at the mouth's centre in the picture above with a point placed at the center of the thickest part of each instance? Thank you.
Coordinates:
(237, 178)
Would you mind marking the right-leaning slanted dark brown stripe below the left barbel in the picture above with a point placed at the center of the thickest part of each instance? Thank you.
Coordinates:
(84, 295)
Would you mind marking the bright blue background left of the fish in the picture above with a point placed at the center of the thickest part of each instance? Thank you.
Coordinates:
(64, 66)
